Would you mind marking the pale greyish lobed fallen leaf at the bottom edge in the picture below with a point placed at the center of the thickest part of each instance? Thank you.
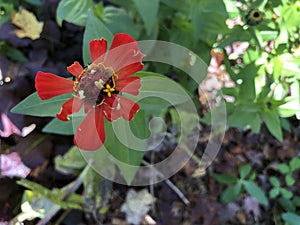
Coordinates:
(137, 205)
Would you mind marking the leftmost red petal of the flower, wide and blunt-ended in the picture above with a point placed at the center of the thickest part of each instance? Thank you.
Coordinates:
(49, 85)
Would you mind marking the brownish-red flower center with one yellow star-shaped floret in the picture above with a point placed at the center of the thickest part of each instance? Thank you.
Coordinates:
(95, 83)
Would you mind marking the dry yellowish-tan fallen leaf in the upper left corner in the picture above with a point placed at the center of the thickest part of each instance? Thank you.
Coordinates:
(30, 26)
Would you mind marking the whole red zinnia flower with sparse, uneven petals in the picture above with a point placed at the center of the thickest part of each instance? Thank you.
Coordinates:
(98, 88)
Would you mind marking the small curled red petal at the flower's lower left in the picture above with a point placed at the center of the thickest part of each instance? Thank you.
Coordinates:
(69, 107)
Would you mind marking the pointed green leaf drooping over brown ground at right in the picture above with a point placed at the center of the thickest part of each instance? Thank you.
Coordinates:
(271, 118)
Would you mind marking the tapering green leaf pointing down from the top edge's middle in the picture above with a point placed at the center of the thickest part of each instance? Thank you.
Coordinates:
(148, 10)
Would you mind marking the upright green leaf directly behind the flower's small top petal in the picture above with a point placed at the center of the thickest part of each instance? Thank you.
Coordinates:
(94, 29)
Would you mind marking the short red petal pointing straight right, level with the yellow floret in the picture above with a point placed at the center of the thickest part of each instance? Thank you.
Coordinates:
(129, 85)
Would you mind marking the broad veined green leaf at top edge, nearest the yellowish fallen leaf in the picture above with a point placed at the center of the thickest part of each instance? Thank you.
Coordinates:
(73, 11)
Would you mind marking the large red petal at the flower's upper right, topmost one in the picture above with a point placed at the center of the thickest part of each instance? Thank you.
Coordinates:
(124, 51)
